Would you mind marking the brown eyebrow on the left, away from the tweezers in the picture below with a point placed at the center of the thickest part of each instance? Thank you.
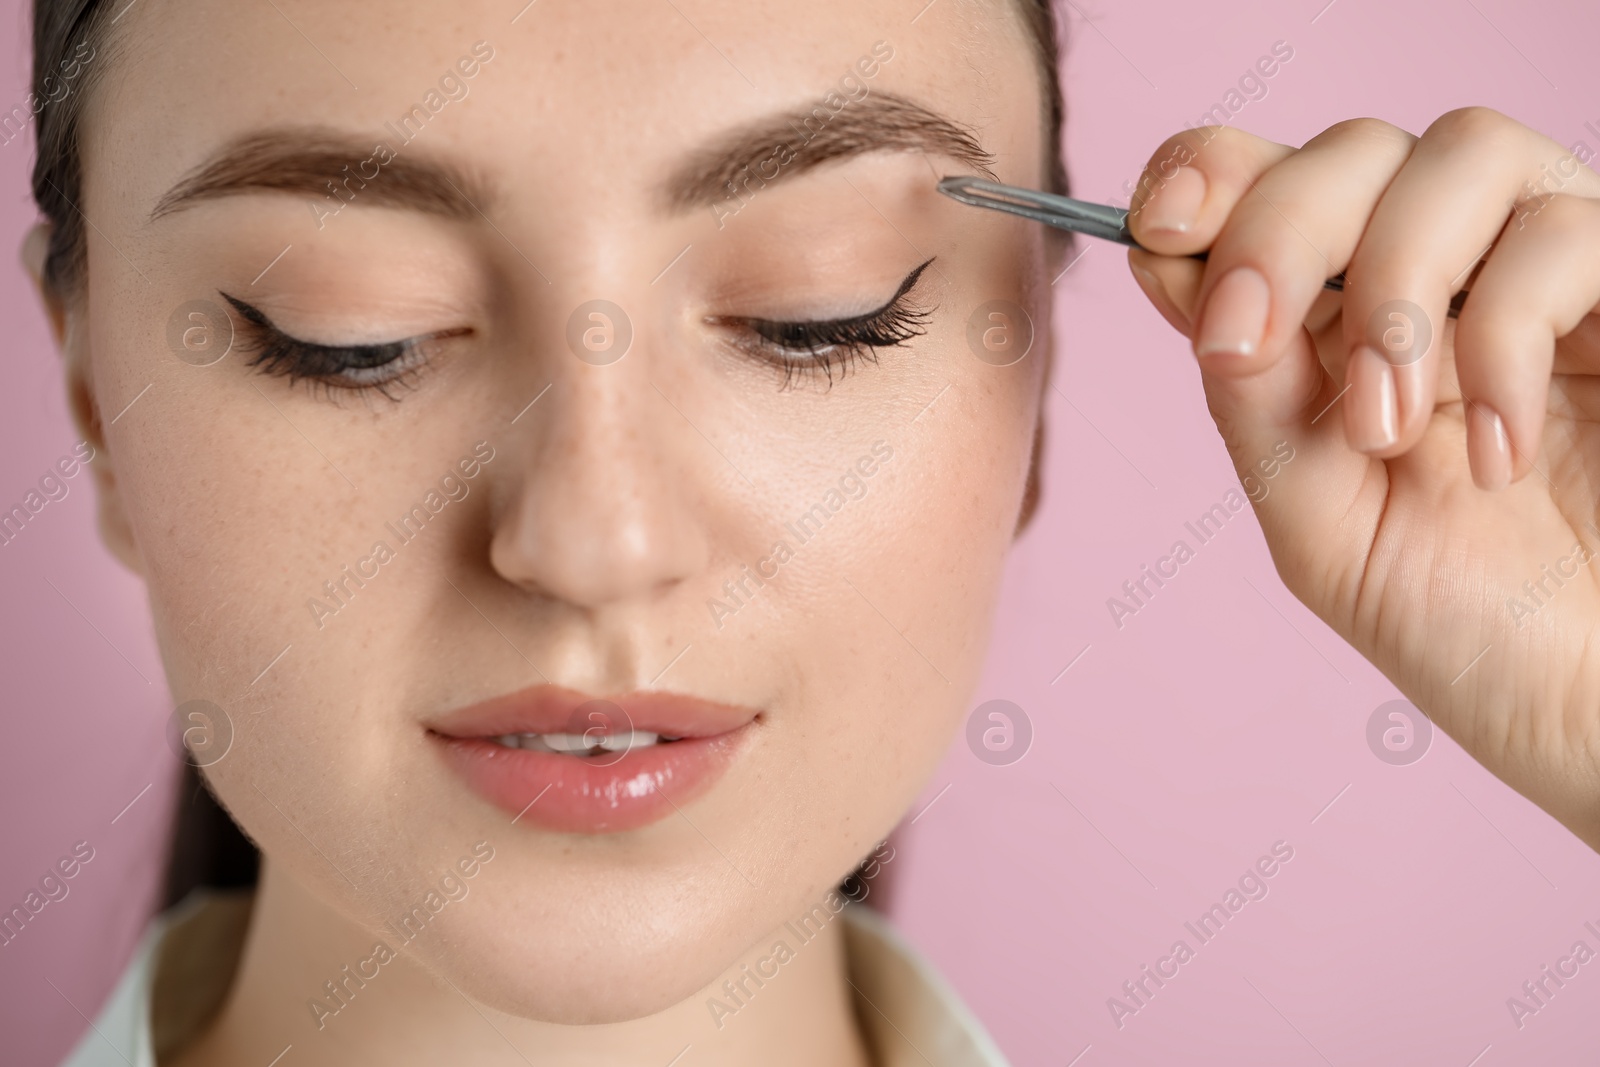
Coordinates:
(329, 164)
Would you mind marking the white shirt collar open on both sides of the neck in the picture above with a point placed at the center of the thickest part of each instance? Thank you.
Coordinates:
(906, 1009)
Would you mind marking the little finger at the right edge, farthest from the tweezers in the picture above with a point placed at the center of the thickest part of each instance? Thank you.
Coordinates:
(1540, 284)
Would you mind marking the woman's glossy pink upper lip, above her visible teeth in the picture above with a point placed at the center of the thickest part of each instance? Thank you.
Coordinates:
(548, 709)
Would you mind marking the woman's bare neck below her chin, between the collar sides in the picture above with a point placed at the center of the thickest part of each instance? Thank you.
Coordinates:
(407, 1017)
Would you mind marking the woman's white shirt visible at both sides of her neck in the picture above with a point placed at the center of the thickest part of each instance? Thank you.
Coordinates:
(905, 1007)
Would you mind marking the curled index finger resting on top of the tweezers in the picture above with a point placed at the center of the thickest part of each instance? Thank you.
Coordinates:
(1193, 183)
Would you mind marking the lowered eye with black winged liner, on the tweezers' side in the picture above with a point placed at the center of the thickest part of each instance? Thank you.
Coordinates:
(822, 346)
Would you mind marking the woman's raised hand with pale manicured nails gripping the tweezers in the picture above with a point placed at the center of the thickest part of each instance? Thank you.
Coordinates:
(1442, 508)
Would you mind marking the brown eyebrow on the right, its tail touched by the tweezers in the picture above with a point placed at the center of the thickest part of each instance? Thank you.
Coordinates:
(730, 162)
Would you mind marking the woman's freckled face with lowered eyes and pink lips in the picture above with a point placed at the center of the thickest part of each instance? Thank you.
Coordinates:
(652, 495)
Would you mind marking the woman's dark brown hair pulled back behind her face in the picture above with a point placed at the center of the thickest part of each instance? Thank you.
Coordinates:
(207, 847)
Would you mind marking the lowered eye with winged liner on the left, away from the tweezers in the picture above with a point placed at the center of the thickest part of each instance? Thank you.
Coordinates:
(358, 367)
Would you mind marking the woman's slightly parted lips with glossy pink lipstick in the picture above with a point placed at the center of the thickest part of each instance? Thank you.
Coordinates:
(583, 765)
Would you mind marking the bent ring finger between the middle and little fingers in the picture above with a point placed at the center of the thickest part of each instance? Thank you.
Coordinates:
(1434, 222)
